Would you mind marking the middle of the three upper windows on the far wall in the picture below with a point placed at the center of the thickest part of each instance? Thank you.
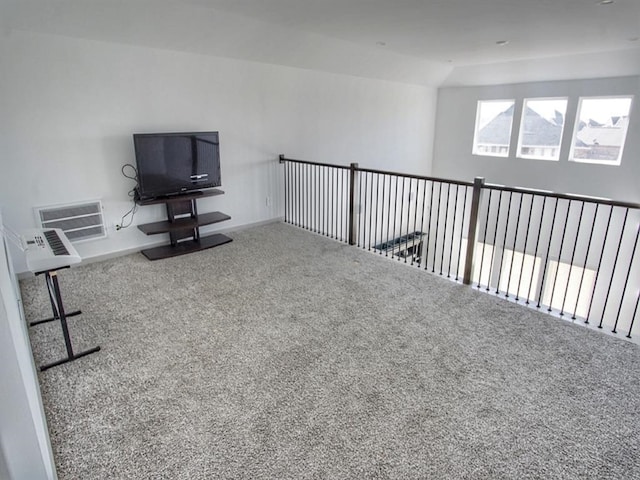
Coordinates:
(541, 128)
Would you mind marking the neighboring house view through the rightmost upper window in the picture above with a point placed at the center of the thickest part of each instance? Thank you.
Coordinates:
(595, 141)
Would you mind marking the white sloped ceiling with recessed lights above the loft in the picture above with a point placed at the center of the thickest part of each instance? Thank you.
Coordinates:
(436, 42)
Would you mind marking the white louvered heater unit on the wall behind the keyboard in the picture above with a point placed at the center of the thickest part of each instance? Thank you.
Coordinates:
(79, 221)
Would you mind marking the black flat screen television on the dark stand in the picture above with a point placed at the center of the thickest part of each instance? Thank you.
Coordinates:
(176, 163)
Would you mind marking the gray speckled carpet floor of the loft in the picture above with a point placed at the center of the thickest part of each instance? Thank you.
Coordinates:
(288, 355)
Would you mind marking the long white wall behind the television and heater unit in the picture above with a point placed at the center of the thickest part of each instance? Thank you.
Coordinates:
(69, 108)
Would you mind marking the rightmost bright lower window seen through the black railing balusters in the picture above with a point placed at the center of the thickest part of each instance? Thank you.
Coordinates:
(561, 288)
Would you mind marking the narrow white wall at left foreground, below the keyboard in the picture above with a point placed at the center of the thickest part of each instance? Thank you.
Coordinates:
(24, 445)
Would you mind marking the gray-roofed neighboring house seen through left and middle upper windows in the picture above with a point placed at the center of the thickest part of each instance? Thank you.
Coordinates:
(540, 136)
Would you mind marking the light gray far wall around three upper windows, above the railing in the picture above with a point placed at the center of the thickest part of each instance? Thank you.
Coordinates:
(455, 128)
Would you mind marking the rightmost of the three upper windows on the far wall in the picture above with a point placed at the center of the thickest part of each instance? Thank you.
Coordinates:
(600, 130)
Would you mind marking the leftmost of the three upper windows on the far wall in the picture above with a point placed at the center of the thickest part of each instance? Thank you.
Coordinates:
(494, 120)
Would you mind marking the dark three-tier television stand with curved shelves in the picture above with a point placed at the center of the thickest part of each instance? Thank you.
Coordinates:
(183, 225)
